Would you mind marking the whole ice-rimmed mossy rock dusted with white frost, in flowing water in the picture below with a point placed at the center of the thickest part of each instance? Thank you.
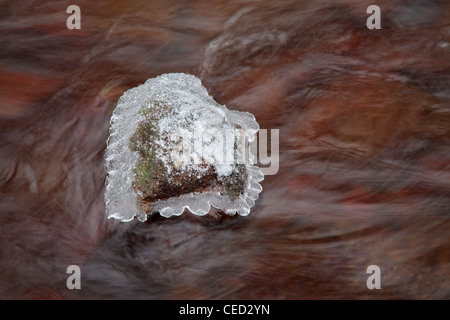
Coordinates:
(172, 147)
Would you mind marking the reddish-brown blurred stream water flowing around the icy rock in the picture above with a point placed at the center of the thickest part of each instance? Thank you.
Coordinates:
(364, 119)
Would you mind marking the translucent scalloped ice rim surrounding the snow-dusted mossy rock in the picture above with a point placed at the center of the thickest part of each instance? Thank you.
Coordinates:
(120, 198)
